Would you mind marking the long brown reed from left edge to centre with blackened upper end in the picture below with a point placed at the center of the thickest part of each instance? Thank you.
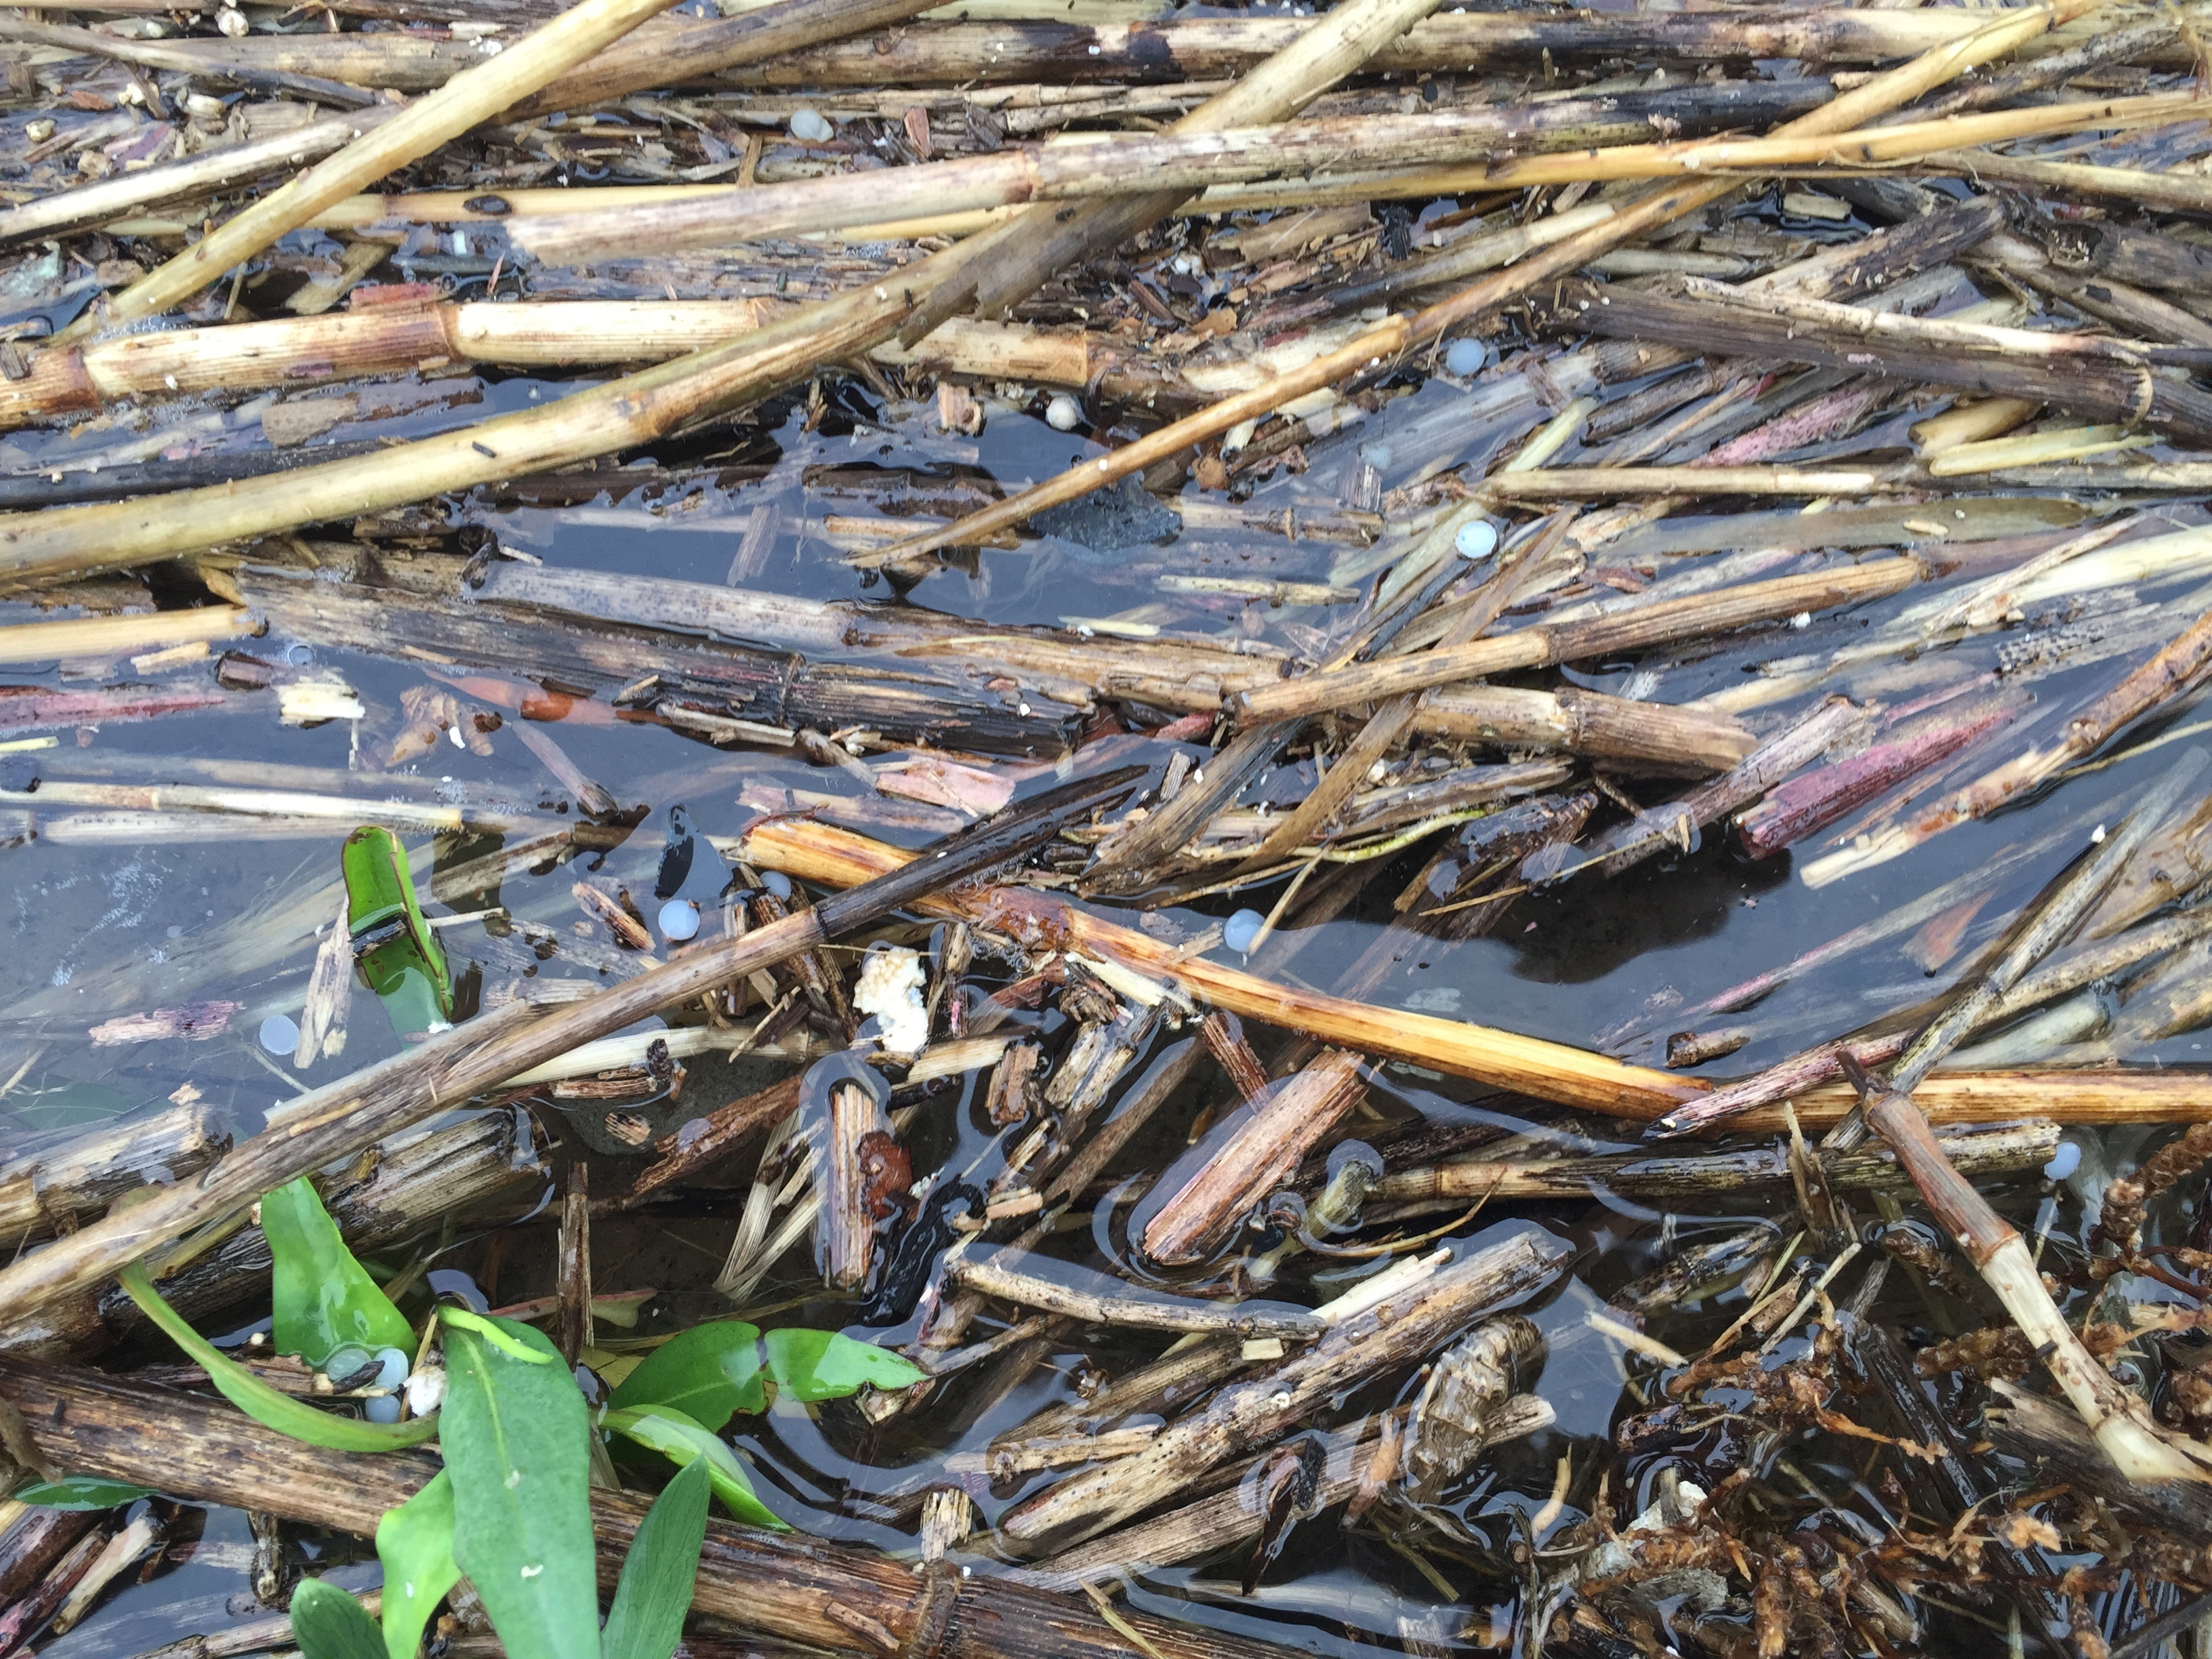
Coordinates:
(357, 1112)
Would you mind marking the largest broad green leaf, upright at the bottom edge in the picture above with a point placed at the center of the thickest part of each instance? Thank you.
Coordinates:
(517, 1441)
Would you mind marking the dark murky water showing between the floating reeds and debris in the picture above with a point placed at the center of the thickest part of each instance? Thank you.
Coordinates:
(98, 932)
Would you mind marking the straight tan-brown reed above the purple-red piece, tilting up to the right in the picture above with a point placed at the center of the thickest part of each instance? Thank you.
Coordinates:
(1543, 647)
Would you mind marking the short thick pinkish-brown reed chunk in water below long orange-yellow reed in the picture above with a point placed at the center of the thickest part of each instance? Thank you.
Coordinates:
(1246, 1158)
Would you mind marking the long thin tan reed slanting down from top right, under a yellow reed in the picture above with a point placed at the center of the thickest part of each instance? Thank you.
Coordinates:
(1390, 340)
